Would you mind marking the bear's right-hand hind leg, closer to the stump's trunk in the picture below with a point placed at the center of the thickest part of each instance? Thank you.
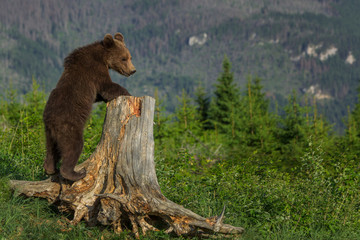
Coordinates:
(71, 151)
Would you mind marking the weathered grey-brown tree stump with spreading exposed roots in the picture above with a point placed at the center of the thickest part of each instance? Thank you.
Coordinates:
(121, 187)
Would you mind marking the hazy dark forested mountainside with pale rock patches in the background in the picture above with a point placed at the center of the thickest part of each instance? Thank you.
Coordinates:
(310, 46)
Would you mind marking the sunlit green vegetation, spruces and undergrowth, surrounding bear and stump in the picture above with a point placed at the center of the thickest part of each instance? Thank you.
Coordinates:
(282, 173)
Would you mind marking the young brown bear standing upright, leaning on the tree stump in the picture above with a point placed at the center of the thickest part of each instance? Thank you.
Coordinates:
(85, 80)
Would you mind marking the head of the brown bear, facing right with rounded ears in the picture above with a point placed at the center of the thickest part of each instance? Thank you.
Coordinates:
(118, 56)
